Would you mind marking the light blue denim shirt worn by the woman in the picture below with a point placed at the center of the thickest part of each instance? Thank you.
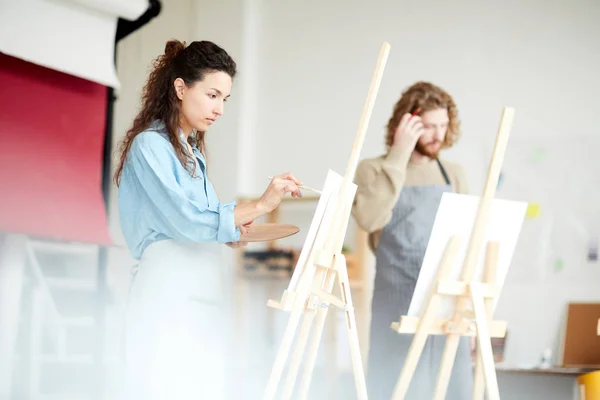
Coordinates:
(159, 199)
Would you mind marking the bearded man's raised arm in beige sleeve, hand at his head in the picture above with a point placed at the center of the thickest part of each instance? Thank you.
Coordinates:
(379, 184)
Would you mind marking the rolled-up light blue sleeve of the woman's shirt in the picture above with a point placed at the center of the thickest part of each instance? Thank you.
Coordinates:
(154, 163)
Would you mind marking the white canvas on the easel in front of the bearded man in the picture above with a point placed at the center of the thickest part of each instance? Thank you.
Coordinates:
(456, 216)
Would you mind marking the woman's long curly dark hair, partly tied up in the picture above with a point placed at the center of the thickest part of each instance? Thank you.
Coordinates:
(160, 102)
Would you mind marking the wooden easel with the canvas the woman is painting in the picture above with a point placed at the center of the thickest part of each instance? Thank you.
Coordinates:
(309, 293)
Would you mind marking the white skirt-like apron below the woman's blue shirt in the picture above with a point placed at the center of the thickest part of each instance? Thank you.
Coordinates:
(175, 328)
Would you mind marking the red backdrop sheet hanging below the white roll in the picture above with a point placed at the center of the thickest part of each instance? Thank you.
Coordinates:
(51, 142)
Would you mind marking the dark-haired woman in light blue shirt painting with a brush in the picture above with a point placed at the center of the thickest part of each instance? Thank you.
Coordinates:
(172, 218)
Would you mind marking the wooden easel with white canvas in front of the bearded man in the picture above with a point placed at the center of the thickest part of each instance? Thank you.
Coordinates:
(465, 264)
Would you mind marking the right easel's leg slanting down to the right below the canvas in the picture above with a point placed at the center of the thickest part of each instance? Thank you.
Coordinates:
(484, 343)
